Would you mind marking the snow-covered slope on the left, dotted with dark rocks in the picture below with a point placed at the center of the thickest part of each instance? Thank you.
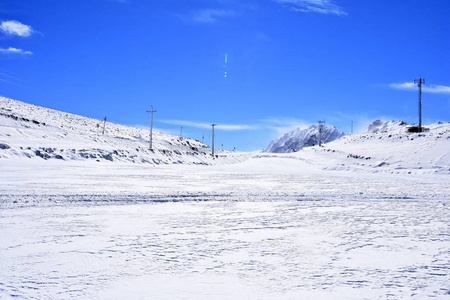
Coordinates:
(30, 131)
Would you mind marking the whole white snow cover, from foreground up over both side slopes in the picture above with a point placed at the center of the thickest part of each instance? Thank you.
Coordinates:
(366, 217)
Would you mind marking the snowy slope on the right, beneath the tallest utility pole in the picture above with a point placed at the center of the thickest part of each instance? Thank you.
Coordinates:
(384, 147)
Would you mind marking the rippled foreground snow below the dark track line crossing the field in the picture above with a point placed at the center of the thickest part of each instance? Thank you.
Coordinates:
(363, 249)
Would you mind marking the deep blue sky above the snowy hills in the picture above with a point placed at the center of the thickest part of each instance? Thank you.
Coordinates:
(289, 62)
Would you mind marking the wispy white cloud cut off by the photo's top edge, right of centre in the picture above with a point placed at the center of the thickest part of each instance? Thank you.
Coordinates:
(316, 6)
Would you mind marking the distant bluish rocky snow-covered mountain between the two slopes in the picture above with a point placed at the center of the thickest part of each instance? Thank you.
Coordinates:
(303, 137)
